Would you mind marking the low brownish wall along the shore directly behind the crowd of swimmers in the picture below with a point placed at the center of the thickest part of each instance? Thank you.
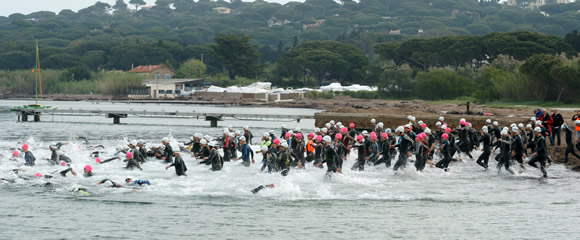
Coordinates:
(363, 121)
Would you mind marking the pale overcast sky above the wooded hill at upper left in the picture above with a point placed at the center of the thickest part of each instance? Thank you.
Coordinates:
(30, 6)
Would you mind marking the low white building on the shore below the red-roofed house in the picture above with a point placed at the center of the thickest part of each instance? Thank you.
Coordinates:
(170, 88)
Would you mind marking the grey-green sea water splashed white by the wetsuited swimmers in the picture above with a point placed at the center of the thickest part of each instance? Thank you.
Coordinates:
(467, 203)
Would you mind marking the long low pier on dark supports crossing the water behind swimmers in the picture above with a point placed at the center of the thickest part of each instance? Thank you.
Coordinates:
(116, 115)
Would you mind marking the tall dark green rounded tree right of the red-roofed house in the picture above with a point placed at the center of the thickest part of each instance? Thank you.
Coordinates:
(236, 53)
